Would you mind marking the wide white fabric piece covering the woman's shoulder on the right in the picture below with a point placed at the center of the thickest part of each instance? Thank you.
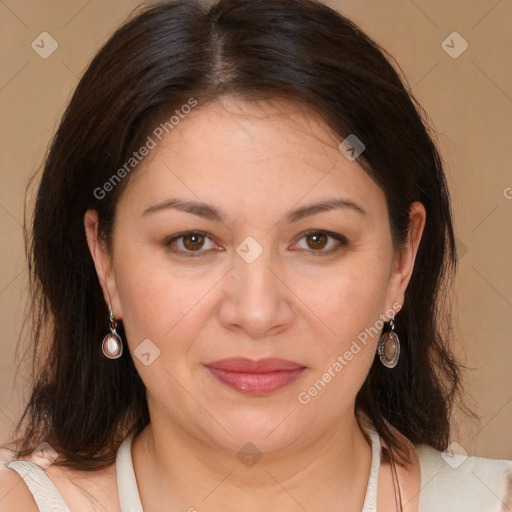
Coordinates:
(465, 483)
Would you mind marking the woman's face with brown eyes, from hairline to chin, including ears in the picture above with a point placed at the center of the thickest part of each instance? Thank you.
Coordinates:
(246, 264)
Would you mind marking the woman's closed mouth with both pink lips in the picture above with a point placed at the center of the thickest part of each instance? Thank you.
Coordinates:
(252, 377)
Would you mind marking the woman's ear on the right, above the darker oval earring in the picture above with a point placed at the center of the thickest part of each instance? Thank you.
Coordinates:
(403, 263)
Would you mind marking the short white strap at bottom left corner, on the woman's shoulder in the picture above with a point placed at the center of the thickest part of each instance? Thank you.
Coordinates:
(46, 495)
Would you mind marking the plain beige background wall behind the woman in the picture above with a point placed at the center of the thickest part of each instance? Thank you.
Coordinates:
(468, 99)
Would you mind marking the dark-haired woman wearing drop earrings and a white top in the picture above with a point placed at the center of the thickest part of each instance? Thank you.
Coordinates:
(240, 243)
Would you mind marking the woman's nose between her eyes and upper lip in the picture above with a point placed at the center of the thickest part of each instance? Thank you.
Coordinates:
(256, 297)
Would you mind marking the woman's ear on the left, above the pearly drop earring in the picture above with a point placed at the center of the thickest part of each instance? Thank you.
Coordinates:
(102, 262)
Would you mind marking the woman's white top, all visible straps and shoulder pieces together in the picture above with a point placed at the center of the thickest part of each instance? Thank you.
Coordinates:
(449, 483)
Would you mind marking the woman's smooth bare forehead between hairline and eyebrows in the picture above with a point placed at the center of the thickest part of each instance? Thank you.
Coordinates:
(275, 153)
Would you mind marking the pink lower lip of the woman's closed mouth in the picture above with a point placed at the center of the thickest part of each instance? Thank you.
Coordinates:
(256, 383)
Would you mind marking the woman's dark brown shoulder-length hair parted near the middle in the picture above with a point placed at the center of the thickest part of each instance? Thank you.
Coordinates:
(82, 403)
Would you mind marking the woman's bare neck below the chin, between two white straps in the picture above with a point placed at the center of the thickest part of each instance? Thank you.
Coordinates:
(175, 468)
